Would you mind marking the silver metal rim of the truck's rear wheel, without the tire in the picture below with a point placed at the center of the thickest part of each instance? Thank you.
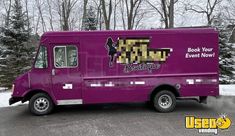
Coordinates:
(165, 101)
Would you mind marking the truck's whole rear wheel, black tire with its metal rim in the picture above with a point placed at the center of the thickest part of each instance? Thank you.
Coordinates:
(164, 101)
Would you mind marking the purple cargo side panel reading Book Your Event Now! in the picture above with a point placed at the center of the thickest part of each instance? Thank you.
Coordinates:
(192, 63)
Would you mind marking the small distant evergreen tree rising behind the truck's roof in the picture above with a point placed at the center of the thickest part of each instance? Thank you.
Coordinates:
(90, 21)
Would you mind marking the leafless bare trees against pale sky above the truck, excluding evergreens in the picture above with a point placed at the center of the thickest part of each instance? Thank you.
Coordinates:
(47, 15)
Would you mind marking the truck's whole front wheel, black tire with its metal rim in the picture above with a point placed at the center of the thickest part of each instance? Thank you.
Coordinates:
(41, 104)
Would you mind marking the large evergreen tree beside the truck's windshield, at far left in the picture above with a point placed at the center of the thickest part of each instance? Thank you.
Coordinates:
(16, 51)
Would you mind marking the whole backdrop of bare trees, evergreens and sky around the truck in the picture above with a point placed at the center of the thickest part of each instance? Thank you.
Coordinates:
(22, 21)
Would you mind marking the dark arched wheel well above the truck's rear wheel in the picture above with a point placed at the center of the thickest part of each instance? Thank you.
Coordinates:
(164, 87)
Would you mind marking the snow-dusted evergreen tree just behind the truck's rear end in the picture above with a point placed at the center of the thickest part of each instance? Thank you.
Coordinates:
(226, 52)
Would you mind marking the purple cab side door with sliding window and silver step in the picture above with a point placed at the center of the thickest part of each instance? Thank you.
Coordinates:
(66, 74)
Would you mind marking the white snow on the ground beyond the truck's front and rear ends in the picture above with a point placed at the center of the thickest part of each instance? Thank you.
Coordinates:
(226, 90)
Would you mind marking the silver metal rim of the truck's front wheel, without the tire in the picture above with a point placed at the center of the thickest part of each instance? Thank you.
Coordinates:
(41, 104)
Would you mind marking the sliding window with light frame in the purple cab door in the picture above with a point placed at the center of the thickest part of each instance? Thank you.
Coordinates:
(65, 56)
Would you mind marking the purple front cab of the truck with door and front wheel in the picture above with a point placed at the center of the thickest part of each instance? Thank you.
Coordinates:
(55, 69)
